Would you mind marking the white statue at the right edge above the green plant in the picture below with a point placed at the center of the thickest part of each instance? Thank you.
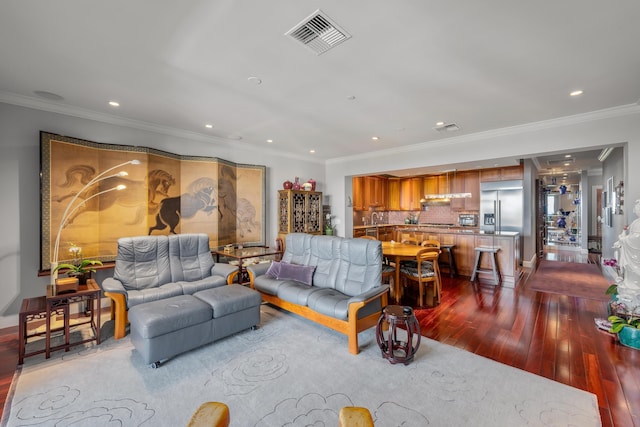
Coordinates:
(628, 245)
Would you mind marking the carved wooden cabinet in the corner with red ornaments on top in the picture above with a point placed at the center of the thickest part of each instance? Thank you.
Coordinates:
(299, 212)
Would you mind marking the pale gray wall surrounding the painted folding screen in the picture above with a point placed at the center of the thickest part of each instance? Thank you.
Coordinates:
(19, 184)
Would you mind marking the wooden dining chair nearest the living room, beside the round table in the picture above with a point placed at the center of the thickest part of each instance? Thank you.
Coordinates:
(425, 272)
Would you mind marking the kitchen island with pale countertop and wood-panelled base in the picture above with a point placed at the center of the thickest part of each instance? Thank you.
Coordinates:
(465, 239)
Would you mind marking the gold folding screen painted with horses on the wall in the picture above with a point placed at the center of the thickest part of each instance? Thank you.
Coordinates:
(93, 193)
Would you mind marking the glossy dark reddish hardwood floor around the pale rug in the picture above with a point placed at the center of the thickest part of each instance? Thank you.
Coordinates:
(550, 335)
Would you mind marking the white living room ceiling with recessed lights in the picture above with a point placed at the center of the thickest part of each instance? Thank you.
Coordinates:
(182, 64)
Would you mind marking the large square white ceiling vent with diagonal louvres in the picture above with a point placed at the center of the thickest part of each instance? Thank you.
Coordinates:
(318, 33)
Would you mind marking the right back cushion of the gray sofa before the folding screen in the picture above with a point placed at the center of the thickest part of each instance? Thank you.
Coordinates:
(190, 257)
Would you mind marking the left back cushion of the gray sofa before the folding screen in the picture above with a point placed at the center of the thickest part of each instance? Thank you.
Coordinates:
(142, 262)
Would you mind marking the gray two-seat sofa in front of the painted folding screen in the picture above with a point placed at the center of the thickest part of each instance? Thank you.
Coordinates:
(151, 268)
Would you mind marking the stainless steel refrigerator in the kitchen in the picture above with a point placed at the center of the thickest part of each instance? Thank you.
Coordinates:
(501, 206)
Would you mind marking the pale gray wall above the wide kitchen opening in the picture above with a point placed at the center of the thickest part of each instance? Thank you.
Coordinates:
(583, 132)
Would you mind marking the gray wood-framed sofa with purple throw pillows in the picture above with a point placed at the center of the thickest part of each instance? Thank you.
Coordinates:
(345, 290)
